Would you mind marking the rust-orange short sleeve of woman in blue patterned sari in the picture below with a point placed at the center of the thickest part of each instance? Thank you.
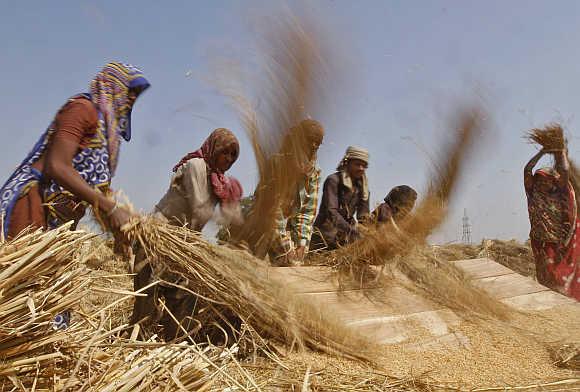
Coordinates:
(77, 120)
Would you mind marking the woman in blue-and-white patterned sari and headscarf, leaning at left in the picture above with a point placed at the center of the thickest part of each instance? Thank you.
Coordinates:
(72, 164)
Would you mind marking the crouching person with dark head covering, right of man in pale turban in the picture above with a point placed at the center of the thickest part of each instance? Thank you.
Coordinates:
(398, 204)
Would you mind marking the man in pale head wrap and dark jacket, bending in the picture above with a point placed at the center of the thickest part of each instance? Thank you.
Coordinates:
(344, 195)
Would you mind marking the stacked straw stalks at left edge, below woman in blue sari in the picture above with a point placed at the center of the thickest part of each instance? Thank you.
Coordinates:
(39, 278)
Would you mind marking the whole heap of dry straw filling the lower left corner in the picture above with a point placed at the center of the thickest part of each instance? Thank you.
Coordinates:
(43, 274)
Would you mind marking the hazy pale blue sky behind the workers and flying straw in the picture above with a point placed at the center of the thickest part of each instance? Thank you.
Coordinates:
(406, 66)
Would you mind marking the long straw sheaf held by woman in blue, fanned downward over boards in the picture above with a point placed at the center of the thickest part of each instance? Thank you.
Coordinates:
(239, 283)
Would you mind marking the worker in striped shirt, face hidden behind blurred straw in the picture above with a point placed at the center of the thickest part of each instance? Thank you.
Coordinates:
(295, 221)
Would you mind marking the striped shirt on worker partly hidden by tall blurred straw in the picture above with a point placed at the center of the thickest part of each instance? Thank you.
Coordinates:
(296, 229)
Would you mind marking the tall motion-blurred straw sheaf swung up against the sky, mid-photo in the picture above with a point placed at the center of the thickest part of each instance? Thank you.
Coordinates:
(293, 75)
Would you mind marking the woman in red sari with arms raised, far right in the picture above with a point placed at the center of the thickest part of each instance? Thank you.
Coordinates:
(554, 224)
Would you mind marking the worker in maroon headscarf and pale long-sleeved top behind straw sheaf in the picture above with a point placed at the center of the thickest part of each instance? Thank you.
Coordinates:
(197, 186)
